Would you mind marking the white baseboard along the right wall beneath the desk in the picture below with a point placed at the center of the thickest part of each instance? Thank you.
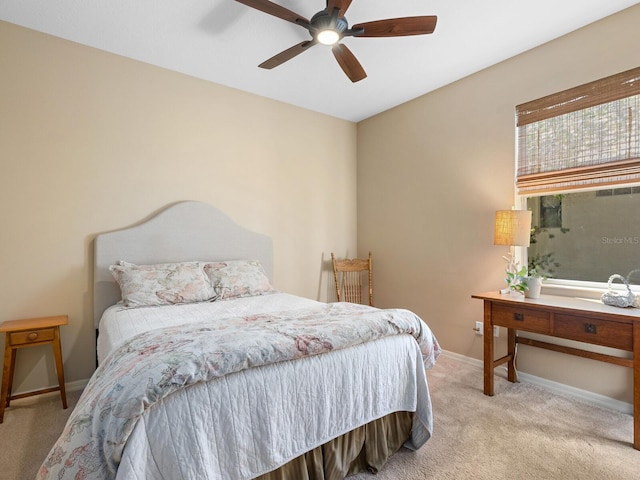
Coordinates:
(559, 388)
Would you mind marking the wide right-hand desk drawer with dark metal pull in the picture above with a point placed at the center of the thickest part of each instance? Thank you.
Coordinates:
(601, 332)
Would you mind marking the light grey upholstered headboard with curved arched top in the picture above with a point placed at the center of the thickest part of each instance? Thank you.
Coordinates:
(182, 232)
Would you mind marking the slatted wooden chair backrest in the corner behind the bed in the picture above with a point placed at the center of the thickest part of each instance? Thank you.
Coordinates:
(350, 276)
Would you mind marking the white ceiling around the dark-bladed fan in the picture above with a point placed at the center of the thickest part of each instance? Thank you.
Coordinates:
(223, 41)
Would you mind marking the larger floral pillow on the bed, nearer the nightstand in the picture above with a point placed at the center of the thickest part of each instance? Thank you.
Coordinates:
(162, 284)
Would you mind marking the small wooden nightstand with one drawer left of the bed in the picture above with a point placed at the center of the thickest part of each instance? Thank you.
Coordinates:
(30, 332)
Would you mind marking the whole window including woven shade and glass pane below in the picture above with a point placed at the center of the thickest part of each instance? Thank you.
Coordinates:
(578, 168)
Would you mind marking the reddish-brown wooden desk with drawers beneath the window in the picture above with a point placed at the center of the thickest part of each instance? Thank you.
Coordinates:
(563, 317)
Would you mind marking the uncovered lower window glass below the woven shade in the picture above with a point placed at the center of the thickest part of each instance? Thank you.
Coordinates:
(586, 235)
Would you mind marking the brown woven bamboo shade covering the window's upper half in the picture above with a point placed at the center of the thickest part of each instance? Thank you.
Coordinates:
(583, 137)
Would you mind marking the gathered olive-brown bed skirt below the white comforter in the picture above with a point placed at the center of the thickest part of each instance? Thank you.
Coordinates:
(366, 448)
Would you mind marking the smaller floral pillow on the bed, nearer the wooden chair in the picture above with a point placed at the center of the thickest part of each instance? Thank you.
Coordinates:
(238, 278)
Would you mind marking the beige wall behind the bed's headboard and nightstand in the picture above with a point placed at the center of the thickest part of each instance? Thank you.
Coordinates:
(91, 142)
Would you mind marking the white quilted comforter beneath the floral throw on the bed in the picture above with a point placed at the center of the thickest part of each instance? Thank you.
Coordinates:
(251, 422)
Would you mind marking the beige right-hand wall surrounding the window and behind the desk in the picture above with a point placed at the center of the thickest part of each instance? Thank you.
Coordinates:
(432, 172)
